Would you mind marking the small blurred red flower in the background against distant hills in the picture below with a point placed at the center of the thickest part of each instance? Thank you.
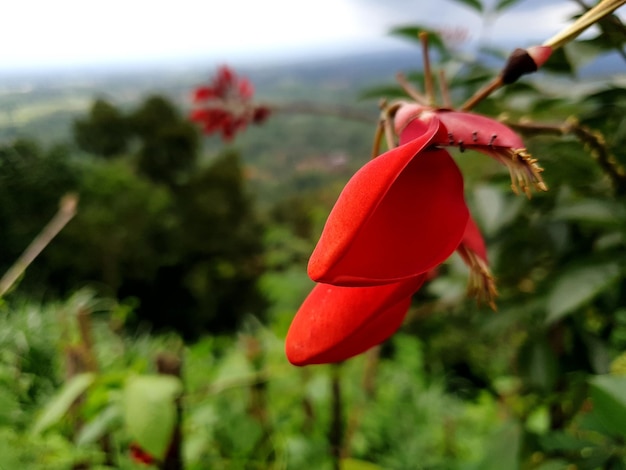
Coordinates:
(225, 106)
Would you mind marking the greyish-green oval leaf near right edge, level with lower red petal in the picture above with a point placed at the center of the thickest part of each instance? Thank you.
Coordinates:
(578, 286)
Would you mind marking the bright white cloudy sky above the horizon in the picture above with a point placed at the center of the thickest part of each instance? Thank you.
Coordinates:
(71, 33)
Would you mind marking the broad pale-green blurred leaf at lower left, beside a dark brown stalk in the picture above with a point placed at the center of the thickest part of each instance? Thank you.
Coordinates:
(149, 410)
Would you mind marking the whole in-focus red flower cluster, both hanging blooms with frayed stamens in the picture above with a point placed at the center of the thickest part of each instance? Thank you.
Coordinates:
(397, 219)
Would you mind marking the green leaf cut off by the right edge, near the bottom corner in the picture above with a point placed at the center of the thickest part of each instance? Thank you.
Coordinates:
(608, 394)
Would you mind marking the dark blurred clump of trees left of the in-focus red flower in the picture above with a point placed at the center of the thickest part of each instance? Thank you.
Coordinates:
(154, 224)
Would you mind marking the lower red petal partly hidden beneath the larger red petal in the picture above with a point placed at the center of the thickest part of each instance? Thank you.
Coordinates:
(335, 323)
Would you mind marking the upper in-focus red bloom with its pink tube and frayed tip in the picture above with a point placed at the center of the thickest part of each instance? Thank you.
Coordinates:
(404, 212)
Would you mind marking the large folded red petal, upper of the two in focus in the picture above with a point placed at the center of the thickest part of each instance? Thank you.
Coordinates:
(400, 215)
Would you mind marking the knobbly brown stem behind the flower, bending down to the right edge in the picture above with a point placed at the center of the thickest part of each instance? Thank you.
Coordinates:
(591, 138)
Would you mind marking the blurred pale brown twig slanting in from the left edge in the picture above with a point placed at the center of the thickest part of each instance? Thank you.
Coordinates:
(66, 211)
